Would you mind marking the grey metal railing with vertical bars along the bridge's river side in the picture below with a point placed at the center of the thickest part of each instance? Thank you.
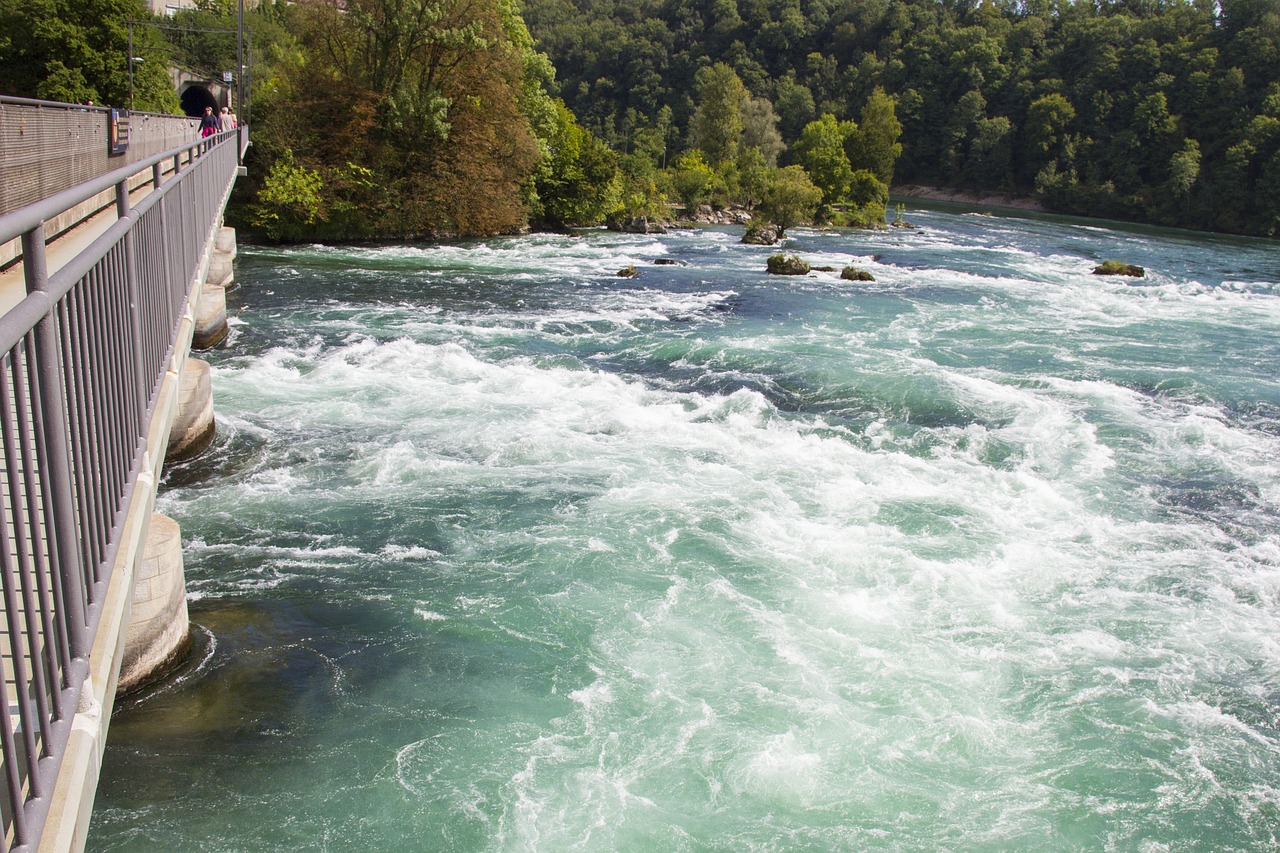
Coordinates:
(83, 358)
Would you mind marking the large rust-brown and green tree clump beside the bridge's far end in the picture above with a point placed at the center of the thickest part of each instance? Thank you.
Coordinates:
(417, 118)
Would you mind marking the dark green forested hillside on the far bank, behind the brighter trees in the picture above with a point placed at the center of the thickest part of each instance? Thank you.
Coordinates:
(1165, 112)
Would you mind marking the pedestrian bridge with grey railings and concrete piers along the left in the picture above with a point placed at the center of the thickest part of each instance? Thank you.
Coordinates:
(95, 334)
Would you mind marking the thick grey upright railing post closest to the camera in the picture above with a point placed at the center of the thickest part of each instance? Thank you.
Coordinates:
(65, 540)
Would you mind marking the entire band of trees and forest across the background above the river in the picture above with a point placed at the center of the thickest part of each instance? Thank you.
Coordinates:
(390, 118)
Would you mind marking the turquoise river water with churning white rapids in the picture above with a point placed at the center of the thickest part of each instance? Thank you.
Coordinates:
(499, 551)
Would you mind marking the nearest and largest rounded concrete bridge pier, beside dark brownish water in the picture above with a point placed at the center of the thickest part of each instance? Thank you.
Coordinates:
(159, 635)
